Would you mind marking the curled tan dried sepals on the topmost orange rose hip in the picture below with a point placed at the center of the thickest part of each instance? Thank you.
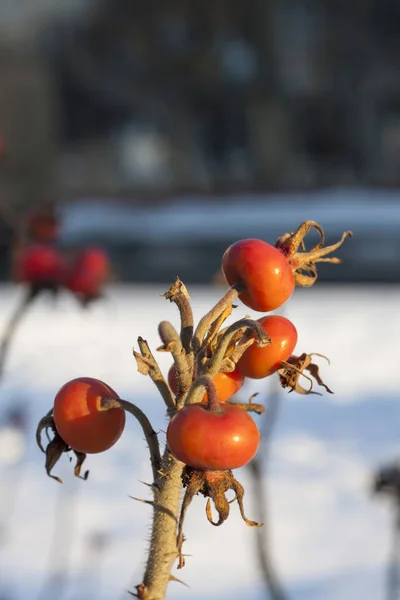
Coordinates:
(303, 262)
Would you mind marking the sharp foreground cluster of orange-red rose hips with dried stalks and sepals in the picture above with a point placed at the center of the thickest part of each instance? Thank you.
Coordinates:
(208, 435)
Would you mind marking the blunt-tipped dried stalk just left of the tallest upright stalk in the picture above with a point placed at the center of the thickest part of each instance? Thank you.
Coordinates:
(184, 374)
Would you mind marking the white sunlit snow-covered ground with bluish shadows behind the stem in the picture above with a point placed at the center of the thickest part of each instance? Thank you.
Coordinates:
(329, 537)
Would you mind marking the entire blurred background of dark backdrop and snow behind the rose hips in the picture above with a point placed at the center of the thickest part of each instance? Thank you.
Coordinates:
(163, 132)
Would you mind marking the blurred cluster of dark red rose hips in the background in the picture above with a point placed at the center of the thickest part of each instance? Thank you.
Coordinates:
(39, 263)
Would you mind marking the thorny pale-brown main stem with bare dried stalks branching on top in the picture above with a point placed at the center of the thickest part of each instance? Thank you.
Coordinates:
(167, 483)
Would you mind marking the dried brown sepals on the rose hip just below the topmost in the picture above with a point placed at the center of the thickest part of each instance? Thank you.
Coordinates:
(293, 369)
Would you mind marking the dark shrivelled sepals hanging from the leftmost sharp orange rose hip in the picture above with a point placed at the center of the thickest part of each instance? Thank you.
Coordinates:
(56, 447)
